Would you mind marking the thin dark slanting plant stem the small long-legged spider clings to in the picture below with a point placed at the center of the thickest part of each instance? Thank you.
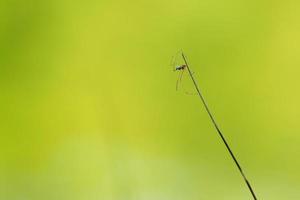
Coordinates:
(218, 130)
